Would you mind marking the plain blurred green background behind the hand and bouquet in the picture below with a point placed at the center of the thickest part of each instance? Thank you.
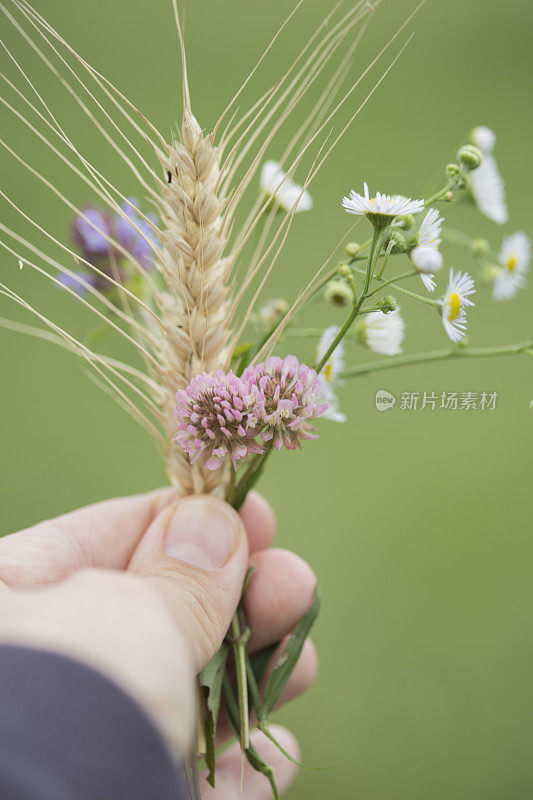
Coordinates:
(418, 523)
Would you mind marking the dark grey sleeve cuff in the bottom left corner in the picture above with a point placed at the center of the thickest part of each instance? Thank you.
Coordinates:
(69, 733)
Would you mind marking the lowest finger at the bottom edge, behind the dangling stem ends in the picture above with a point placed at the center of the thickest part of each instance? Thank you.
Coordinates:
(255, 785)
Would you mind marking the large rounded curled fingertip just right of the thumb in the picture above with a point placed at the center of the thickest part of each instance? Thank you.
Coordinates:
(279, 593)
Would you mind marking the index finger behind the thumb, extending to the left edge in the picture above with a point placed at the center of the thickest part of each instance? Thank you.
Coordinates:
(101, 535)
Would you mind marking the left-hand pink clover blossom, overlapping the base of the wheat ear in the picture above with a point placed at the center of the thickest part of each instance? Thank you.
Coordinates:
(213, 419)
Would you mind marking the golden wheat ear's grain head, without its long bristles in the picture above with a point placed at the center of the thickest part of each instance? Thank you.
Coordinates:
(195, 310)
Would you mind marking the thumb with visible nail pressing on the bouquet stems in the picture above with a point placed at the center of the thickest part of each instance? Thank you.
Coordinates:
(195, 554)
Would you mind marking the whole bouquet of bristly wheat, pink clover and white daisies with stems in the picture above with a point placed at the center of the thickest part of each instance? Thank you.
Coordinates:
(212, 377)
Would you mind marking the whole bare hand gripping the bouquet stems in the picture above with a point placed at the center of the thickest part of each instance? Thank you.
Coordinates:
(143, 589)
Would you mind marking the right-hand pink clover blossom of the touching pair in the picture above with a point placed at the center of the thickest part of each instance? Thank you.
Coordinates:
(286, 395)
